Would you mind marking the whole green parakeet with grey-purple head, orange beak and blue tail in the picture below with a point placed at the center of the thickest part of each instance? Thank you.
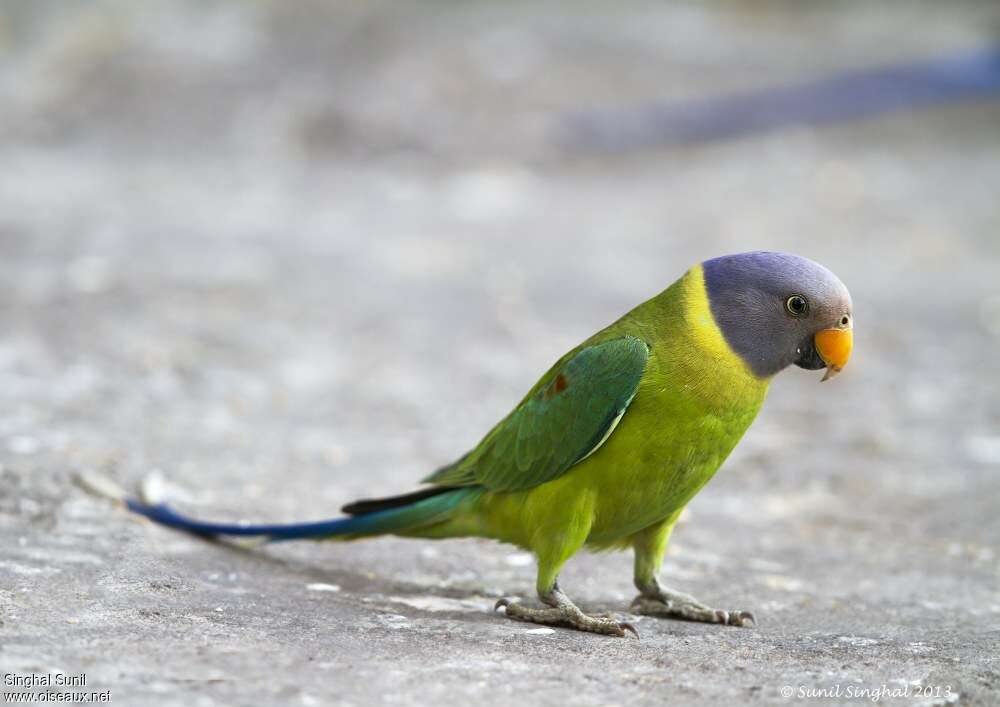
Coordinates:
(615, 439)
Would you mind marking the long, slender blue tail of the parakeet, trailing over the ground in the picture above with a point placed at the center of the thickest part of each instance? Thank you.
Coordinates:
(421, 513)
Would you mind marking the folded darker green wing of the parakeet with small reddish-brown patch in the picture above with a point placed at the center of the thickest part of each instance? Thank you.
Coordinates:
(563, 420)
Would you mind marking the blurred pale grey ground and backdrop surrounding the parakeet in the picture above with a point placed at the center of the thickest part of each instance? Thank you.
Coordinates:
(294, 253)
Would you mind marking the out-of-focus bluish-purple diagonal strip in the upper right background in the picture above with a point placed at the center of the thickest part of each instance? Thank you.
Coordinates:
(838, 98)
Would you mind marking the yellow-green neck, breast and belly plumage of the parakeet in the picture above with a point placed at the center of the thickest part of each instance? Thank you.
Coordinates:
(695, 401)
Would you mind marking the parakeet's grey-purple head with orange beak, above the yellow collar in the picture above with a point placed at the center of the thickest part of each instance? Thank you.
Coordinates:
(778, 309)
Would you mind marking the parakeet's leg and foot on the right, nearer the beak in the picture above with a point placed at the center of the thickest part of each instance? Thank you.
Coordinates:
(656, 600)
